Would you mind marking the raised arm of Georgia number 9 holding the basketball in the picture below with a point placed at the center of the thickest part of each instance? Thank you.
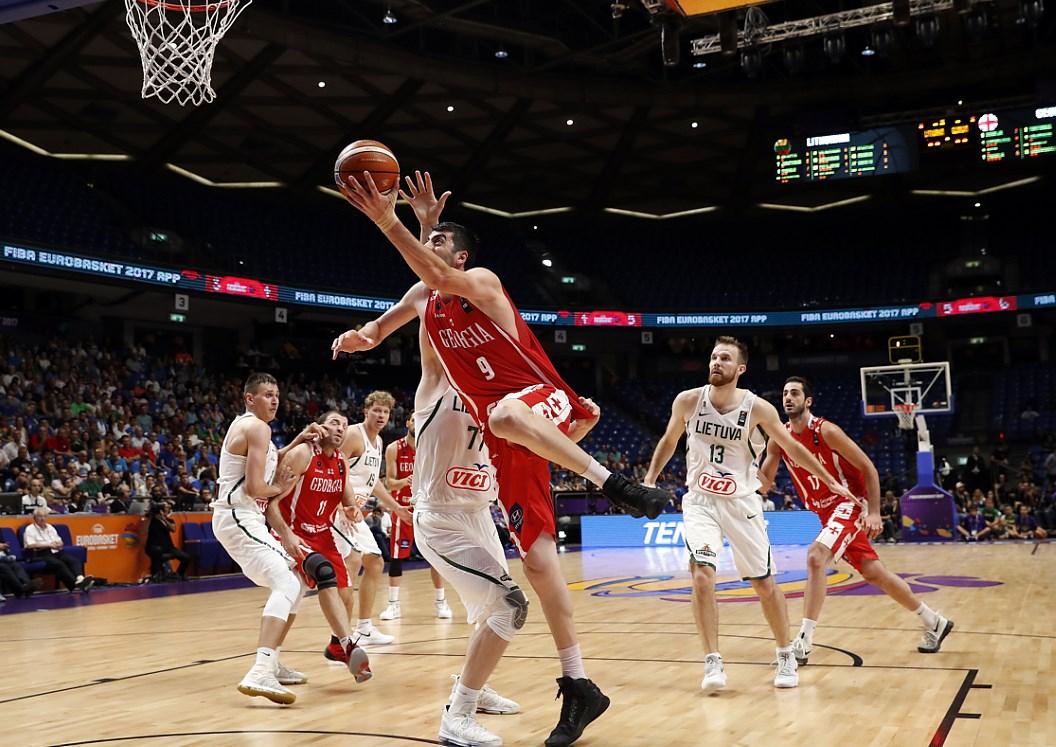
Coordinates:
(479, 285)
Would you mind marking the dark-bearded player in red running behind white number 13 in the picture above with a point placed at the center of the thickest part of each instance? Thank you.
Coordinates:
(845, 531)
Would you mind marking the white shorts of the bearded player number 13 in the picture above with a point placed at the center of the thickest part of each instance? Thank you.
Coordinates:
(708, 519)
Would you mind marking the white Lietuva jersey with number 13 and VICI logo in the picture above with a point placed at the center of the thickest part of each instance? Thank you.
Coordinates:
(723, 454)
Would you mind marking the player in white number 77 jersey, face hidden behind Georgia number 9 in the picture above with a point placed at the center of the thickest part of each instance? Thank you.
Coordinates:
(455, 484)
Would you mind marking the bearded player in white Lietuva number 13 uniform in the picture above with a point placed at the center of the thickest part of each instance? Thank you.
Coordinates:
(727, 431)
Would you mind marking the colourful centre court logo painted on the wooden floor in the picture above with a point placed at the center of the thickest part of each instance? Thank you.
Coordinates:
(674, 589)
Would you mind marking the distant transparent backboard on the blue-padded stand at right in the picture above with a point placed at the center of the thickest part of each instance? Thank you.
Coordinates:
(926, 385)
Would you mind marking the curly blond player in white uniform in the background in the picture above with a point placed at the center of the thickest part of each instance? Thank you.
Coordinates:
(365, 451)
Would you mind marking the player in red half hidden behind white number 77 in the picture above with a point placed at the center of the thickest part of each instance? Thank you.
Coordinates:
(400, 468)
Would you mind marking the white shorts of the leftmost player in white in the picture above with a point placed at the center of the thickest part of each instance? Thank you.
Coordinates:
(248, 540)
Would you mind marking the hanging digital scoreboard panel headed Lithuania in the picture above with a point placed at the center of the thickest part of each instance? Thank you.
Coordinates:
(843, 156)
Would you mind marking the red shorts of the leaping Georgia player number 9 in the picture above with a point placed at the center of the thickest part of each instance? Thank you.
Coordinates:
(524, 477)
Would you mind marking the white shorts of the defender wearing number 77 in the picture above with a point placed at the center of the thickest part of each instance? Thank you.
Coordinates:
(465, 550)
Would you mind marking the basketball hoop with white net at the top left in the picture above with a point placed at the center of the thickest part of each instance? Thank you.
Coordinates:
(177, 43)
